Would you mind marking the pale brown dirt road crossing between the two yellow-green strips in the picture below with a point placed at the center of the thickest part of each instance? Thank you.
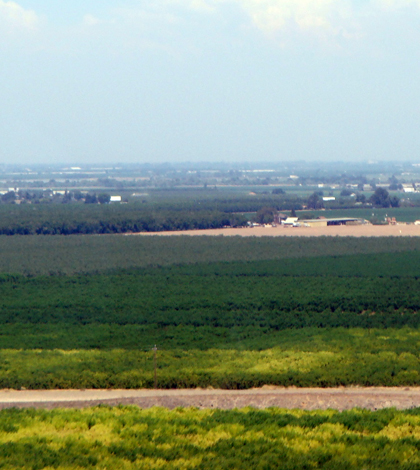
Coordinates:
(304, 398)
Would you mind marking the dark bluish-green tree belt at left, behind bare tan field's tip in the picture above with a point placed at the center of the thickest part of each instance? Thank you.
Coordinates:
(68, 219)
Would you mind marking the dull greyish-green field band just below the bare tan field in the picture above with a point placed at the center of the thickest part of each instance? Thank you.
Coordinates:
(52, 255)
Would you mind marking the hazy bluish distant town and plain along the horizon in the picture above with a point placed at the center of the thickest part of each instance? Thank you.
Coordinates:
(330, 184)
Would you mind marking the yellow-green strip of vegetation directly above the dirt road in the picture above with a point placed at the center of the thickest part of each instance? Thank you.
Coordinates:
(307, 357)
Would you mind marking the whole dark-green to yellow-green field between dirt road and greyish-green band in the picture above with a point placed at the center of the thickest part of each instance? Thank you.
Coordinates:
(309, 321)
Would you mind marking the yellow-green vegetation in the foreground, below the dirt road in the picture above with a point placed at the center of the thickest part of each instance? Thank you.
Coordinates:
(131, 438)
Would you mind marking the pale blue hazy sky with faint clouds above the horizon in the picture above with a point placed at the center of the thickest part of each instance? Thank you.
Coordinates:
(211, 80)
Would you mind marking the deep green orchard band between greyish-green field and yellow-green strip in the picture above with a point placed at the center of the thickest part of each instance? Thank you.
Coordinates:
(266, 294)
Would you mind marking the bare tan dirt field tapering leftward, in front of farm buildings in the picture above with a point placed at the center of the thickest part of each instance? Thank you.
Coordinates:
(400, 230)
